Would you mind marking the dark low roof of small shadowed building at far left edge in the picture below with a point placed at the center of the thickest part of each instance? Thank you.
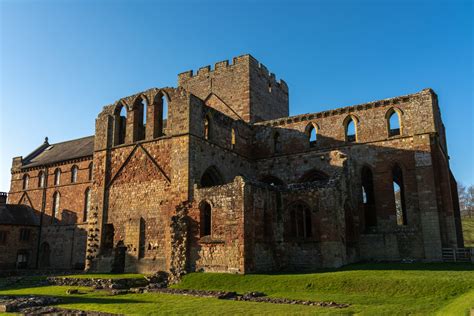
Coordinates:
(15, 214)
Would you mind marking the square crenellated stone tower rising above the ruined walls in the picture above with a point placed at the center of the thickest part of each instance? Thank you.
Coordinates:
(244, 90)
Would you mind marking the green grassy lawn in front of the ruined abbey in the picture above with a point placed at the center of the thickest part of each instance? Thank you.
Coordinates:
(371, 289)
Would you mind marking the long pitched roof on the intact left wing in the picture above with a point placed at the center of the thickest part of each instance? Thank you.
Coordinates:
(76, 148)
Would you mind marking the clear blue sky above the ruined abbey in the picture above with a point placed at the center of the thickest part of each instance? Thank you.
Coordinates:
(62, 61)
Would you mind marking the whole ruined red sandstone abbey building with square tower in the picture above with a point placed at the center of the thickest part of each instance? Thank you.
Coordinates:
(213, 175)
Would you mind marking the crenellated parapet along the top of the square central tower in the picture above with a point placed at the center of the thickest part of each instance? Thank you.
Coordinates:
(238, 61)
